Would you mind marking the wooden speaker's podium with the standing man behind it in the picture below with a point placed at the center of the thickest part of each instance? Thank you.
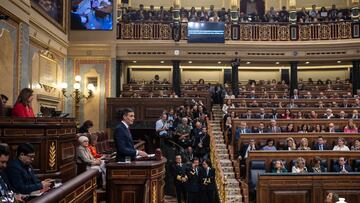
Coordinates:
(141, 181)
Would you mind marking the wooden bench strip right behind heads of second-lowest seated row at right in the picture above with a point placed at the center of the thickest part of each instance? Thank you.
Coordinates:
(280, 139)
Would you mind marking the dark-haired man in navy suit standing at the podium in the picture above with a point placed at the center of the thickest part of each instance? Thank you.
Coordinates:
(123, 139)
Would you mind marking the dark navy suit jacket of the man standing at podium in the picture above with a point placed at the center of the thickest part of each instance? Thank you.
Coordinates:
(124, 143)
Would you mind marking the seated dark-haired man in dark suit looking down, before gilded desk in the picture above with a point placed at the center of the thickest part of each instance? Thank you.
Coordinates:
(21, 174)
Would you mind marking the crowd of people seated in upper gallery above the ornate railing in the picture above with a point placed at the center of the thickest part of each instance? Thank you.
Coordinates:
(224, 15)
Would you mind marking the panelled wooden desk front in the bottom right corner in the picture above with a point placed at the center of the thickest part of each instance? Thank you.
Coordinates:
(308, 188)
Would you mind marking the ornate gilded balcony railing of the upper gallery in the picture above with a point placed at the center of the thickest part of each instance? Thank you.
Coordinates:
(242, 31)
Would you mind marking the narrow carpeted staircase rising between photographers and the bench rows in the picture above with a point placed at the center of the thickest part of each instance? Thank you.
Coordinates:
(232, 190)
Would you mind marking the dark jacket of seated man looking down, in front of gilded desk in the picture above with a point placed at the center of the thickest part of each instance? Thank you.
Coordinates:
(22, 178)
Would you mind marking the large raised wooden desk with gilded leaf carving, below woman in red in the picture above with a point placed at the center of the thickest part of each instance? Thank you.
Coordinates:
(54, 141)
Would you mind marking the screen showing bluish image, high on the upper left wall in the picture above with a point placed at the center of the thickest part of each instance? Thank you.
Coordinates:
(91, 15)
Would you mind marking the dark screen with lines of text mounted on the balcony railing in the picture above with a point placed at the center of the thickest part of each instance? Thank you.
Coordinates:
(206, 32)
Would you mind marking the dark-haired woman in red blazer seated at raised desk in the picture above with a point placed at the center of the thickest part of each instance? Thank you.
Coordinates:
(22, 107)
